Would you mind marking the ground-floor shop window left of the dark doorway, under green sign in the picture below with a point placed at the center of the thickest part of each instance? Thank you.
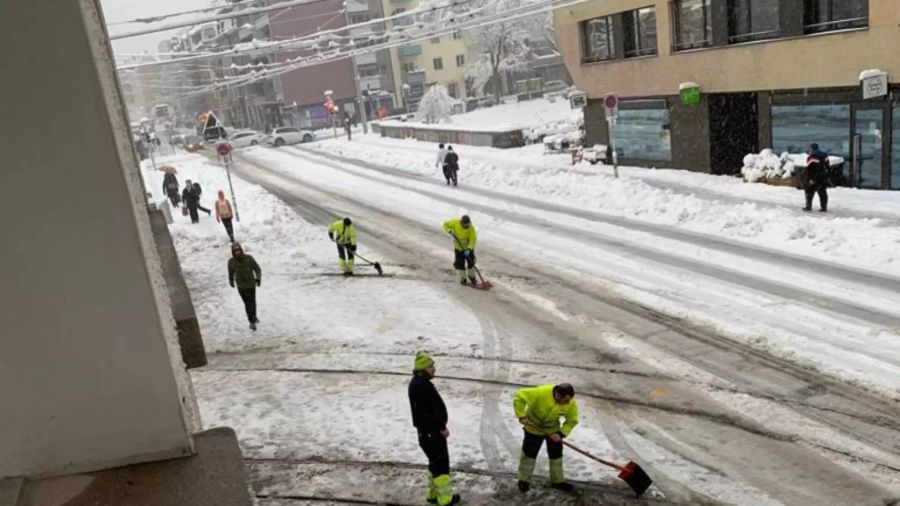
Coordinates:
(643, 134)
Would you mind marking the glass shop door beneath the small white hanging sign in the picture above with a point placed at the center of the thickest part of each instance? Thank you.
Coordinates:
(868, 164)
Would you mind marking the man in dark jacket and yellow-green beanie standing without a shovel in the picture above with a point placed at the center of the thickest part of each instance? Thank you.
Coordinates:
(430, 419)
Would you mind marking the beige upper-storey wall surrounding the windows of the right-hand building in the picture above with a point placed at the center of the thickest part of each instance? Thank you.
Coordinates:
(831, 59)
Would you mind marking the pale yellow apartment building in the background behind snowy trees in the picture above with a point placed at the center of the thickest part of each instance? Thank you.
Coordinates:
(420, 65)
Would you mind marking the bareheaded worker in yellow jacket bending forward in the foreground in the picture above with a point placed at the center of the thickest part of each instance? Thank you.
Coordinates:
(539, 410)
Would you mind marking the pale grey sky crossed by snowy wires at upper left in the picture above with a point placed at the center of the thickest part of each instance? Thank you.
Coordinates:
(123, 10)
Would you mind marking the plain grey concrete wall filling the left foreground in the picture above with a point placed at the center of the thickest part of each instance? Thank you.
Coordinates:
(89, 372)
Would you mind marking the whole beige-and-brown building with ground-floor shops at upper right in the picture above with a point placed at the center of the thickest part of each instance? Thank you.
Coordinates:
(703, 82)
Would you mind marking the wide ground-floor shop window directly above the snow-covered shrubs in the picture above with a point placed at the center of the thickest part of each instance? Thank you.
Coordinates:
(795, 127)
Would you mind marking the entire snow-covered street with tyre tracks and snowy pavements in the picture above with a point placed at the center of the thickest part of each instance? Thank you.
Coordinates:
(736, 359)
